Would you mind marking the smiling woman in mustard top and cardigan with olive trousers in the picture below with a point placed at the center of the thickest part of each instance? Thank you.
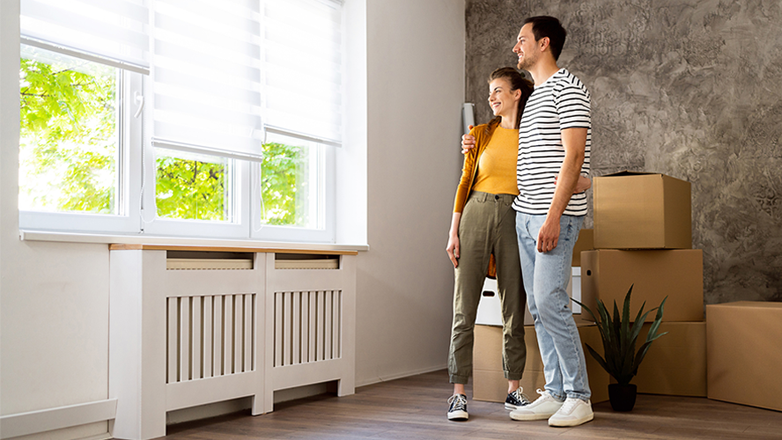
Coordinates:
(482, 239)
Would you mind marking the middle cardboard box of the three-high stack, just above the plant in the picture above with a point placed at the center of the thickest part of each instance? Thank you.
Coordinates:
(607, 274)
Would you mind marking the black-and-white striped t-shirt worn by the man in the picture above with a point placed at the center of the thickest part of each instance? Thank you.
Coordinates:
(559, 103)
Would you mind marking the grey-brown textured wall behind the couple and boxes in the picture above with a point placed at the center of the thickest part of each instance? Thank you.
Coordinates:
(689, 88)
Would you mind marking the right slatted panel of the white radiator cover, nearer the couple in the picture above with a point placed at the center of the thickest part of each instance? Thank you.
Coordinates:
(307, 327)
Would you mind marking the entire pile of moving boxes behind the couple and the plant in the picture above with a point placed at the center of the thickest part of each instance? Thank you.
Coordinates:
(642, 237)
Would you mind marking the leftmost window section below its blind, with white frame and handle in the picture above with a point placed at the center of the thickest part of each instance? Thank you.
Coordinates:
(76, 127)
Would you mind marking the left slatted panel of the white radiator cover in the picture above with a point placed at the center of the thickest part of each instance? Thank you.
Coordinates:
(210, 336)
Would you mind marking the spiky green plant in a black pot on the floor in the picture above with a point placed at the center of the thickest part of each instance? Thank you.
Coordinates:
(619, 340)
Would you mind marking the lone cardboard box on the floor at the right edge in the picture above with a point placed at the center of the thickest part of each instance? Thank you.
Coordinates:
(744, 353)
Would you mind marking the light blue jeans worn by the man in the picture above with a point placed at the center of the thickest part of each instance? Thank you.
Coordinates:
(546, 277)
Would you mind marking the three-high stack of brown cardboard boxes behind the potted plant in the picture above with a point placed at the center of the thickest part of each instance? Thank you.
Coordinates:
(642, 238)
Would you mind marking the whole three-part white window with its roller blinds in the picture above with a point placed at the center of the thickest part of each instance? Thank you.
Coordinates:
(164, 117)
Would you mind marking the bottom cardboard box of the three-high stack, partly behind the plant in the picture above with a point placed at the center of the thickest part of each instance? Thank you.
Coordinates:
(675, 364)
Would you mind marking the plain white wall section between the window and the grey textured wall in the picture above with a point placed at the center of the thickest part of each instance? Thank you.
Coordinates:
(415, 53)
